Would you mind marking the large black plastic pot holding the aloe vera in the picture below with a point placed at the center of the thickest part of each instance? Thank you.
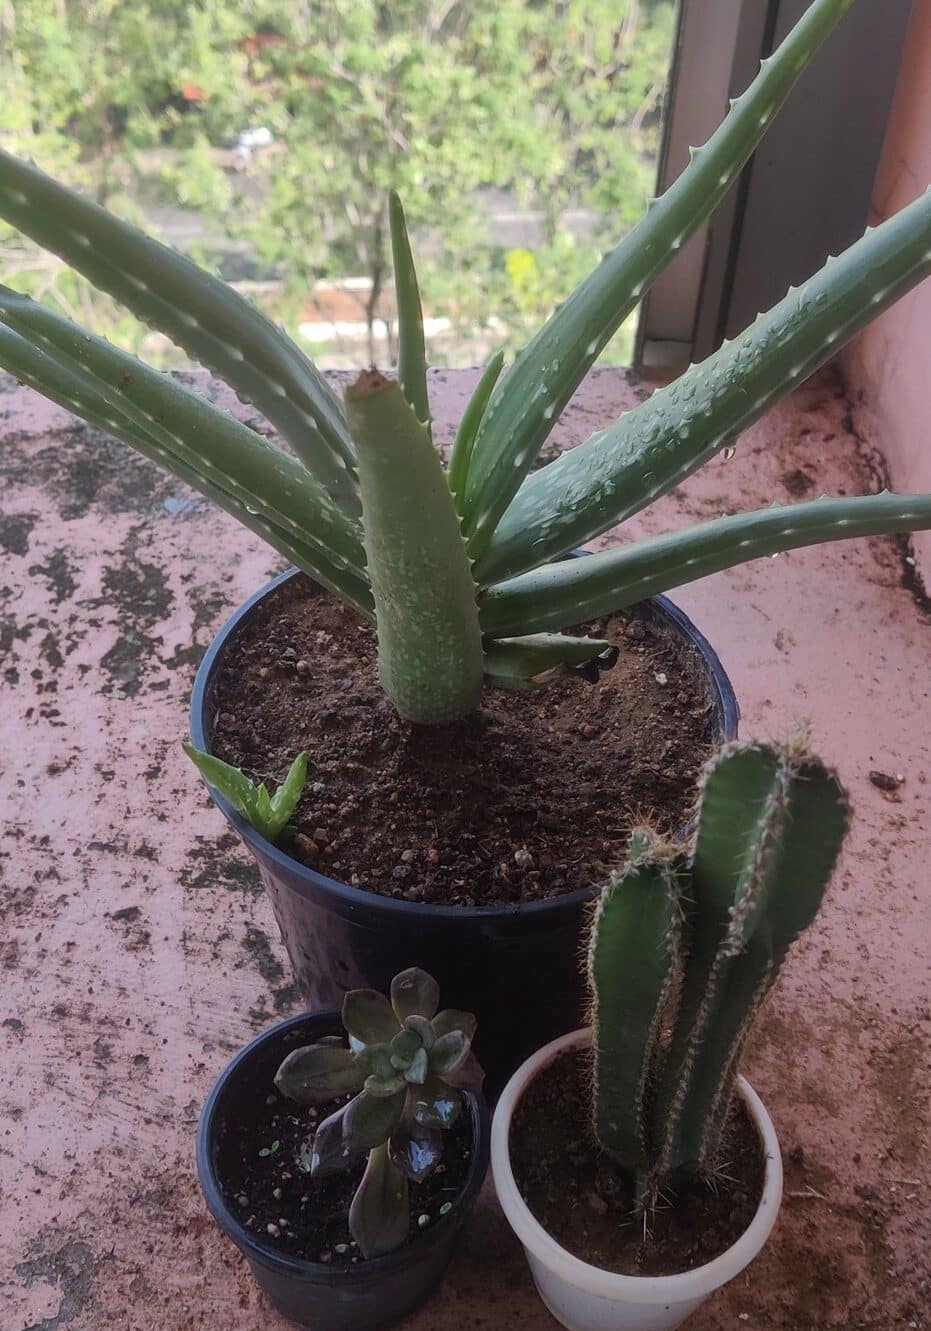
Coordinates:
(515, 966)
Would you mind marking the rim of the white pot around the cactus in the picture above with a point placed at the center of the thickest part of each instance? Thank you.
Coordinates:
(628, 1289)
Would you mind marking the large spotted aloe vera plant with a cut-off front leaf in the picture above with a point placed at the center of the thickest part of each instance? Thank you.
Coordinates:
(454, 564)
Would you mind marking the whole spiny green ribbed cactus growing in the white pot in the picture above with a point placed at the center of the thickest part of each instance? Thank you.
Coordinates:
(684, 952)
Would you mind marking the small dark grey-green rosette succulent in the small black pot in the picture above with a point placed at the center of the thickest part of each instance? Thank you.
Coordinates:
(407, 1064)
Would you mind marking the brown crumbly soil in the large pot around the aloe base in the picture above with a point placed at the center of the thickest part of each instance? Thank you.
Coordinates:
(532, 797)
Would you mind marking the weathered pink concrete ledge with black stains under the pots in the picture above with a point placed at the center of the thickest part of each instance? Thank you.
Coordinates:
(138, 951)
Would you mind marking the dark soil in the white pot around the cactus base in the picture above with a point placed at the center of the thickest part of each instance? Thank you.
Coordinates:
(585, 1201)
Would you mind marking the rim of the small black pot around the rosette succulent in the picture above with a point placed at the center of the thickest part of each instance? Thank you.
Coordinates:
(284, 1262)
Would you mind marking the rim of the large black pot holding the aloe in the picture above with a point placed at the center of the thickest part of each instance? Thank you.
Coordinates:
(727, 707)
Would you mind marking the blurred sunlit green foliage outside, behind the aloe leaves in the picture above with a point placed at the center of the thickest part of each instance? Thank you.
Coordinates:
(549, 106)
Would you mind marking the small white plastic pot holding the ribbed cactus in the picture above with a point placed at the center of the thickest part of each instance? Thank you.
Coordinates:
(587, 1298)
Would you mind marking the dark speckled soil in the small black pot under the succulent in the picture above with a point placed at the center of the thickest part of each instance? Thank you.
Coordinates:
(264, 1168)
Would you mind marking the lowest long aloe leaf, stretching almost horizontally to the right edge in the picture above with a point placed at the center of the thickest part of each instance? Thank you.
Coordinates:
(564, 594)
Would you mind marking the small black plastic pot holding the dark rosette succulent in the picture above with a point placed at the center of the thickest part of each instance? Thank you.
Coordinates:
(359, 1298)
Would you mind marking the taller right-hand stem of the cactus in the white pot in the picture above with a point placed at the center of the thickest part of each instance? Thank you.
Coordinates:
(771, 829)
